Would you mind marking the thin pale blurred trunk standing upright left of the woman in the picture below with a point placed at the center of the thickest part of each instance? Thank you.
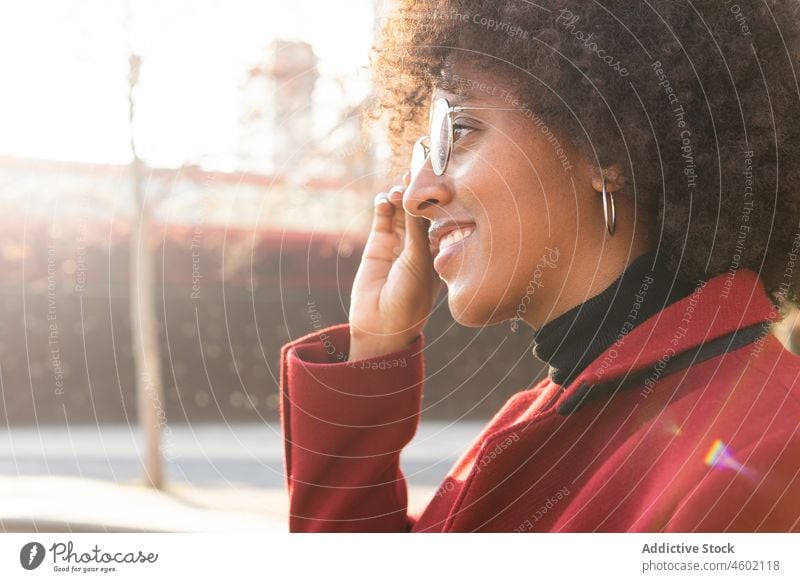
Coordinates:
(144, 324)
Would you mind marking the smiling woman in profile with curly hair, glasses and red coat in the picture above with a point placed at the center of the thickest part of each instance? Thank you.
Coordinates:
(621, 178)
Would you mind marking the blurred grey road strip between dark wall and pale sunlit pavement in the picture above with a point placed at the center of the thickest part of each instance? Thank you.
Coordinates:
(203, 455)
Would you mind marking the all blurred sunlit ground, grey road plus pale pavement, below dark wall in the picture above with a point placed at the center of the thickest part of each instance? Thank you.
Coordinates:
(219, 477)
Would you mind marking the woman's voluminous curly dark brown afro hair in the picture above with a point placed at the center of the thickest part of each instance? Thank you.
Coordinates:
(697, 101)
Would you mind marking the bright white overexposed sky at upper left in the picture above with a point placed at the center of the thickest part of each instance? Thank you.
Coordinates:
(63, 65)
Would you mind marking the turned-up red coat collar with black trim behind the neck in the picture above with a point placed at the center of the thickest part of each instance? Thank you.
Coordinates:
(722, 314)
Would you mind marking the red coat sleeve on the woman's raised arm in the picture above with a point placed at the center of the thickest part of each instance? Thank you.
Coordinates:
(344, 425)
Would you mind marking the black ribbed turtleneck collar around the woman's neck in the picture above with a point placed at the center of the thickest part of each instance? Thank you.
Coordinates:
(573, 340)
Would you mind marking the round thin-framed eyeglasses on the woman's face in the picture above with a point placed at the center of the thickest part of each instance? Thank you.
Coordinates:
(439, 145)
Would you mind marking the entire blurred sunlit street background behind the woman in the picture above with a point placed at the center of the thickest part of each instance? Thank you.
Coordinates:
(179, 181)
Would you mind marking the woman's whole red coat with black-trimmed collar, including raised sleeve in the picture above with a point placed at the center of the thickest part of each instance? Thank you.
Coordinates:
(688, 423)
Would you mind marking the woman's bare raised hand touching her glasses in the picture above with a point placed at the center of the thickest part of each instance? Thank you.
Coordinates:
(396, 285)
